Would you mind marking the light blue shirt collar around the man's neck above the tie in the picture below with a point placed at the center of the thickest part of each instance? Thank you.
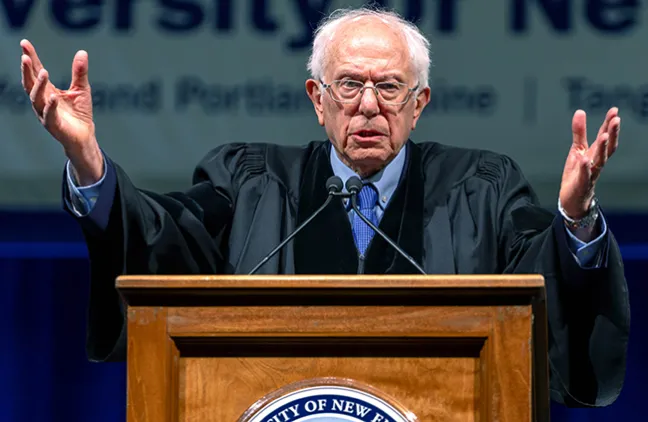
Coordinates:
(385, 181)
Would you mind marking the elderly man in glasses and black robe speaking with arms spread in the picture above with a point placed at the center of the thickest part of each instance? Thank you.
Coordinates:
(454, 211)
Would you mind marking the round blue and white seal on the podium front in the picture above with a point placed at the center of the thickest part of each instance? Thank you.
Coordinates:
(327, 400)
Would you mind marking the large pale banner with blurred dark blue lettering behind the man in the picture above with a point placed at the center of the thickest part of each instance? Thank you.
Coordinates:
(174, 78)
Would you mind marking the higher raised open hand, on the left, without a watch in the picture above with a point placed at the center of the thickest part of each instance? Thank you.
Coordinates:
(66, 114)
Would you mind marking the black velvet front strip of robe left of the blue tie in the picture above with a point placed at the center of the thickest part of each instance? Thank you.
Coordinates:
(326, 245)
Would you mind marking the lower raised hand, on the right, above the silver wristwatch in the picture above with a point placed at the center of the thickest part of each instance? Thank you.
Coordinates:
(585, 163)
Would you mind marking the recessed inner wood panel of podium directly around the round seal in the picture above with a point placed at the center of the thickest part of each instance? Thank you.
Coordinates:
(443, 389)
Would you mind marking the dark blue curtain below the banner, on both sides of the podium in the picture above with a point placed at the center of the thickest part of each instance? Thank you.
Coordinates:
(44, 374)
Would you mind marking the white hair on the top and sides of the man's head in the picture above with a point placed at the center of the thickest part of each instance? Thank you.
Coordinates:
(417, 43)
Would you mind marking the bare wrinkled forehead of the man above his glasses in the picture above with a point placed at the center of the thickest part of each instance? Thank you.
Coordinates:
(369, 48)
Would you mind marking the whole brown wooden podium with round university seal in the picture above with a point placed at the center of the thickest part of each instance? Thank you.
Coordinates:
(438, 348)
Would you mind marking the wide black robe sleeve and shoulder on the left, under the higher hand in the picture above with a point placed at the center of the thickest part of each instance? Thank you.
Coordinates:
(150, 233)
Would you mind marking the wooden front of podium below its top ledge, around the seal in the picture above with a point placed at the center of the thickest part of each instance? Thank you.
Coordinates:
(456, 363)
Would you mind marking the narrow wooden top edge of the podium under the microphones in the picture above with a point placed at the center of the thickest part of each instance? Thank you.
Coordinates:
(329, 281)
